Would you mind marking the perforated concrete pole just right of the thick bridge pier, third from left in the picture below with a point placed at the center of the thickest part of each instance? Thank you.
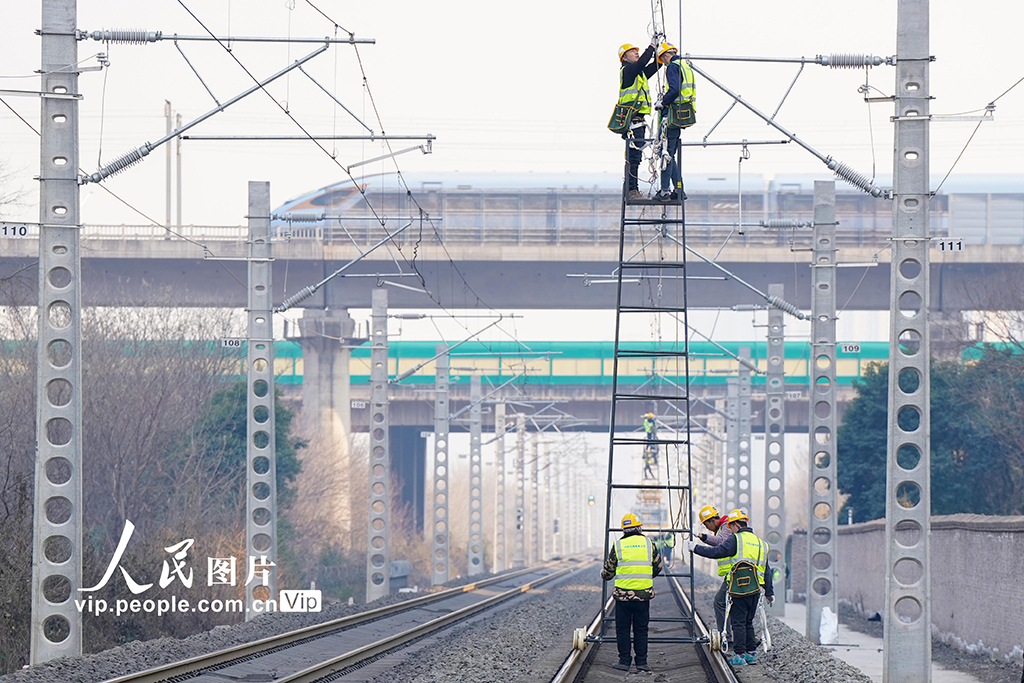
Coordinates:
(378, 539)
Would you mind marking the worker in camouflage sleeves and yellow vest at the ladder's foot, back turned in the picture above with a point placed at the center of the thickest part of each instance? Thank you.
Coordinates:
(633, 563)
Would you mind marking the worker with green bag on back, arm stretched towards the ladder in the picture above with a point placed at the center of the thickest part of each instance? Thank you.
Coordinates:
(744, 560)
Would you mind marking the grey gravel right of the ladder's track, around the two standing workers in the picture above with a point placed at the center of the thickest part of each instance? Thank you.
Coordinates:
(792, 659)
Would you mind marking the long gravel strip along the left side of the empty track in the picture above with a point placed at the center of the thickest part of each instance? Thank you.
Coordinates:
(140, 656)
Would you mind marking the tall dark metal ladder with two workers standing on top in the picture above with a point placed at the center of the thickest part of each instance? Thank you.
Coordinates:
(651, 224)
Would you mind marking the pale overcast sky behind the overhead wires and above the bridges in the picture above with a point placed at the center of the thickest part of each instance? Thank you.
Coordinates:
(506, 88)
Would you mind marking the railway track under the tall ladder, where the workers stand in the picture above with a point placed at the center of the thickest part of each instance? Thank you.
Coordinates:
(591, 662)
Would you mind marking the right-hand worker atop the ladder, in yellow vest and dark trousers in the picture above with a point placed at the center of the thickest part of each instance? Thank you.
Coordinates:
(681, 93)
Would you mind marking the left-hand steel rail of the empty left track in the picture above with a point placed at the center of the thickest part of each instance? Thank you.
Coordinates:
(201, 662)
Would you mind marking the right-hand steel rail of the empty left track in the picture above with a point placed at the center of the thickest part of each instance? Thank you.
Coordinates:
(343, 662)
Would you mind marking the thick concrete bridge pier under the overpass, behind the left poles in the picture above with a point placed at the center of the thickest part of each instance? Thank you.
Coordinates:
(326, 418)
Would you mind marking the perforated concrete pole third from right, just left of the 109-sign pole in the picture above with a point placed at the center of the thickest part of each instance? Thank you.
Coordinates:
(775, 518)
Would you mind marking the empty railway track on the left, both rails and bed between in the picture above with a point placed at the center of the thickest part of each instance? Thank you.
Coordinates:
(331, 650)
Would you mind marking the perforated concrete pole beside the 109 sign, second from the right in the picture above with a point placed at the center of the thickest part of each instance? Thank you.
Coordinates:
(822, 540)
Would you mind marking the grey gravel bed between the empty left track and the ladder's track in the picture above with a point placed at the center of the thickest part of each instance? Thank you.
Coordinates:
(518, 646)
